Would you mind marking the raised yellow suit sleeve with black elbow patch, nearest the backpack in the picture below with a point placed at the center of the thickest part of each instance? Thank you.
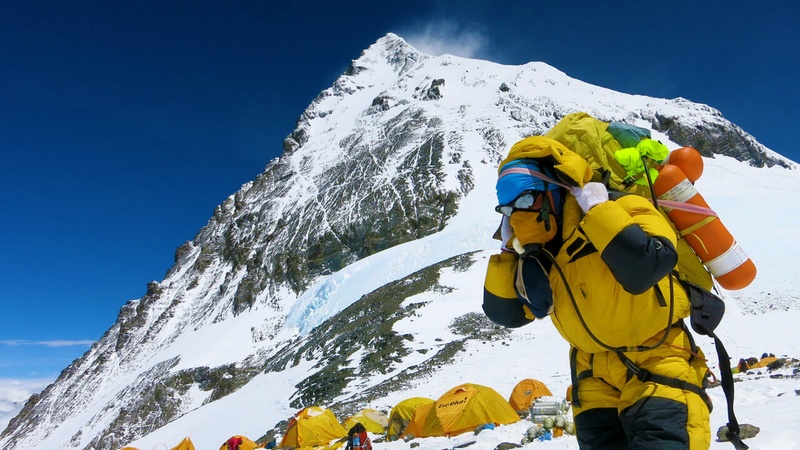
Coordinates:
(634, 240)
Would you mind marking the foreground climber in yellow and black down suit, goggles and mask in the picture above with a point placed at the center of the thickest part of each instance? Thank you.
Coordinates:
(608, 280)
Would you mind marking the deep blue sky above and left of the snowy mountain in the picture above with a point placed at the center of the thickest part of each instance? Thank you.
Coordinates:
(123, 124)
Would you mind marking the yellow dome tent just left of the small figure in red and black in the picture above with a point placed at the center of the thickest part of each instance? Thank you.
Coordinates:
(311, 426)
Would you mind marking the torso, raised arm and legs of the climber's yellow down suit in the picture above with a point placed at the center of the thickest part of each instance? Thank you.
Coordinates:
(605, 295)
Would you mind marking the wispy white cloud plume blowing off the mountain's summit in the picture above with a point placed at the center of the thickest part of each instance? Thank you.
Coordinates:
(447, 37)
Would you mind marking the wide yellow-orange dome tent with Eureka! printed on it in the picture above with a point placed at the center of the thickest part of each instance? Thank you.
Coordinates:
(461, 409)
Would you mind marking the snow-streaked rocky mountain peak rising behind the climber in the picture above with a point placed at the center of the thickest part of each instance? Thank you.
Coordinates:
(306, 285)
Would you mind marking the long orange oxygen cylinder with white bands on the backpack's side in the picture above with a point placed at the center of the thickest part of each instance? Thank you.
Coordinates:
(706, 234)
